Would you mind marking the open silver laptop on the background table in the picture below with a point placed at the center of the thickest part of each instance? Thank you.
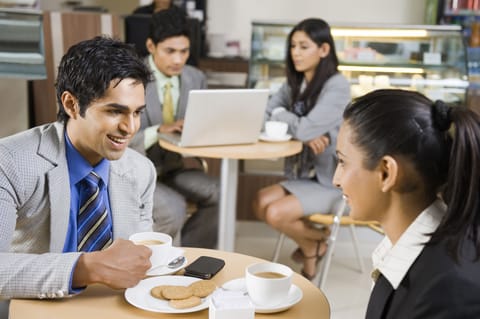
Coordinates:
(221, 117)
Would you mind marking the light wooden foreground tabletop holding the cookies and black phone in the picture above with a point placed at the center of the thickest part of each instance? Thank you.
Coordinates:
(102, 302)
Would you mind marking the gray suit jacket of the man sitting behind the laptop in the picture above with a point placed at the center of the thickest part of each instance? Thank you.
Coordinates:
(190, 79)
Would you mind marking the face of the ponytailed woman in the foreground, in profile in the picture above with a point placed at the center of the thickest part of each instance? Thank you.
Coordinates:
(361, 187)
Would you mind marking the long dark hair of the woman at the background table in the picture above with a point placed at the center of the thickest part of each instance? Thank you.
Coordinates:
(319, 32)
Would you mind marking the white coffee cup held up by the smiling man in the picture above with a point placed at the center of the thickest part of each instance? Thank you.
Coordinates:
(159, 243)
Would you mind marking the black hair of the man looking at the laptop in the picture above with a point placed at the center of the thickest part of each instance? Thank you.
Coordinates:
(168, 23)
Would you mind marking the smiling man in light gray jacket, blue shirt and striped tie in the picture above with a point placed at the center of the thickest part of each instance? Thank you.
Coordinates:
(101, 93)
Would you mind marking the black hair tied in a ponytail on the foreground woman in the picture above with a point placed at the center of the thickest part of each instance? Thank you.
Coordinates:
(446, 157)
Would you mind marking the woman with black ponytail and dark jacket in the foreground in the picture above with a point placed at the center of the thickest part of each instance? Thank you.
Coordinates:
(401, 157)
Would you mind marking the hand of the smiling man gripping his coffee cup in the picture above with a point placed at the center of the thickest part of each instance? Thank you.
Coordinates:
(122, 265)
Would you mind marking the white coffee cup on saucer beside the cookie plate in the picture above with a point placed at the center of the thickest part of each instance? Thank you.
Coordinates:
(268, 283)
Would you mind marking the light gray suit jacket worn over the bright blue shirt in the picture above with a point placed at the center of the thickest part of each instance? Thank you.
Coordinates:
(35, 205)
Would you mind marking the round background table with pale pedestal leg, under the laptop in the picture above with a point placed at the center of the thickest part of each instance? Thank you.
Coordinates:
(230, 154)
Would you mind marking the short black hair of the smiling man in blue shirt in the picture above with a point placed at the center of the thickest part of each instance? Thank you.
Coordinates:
(89, 67)
